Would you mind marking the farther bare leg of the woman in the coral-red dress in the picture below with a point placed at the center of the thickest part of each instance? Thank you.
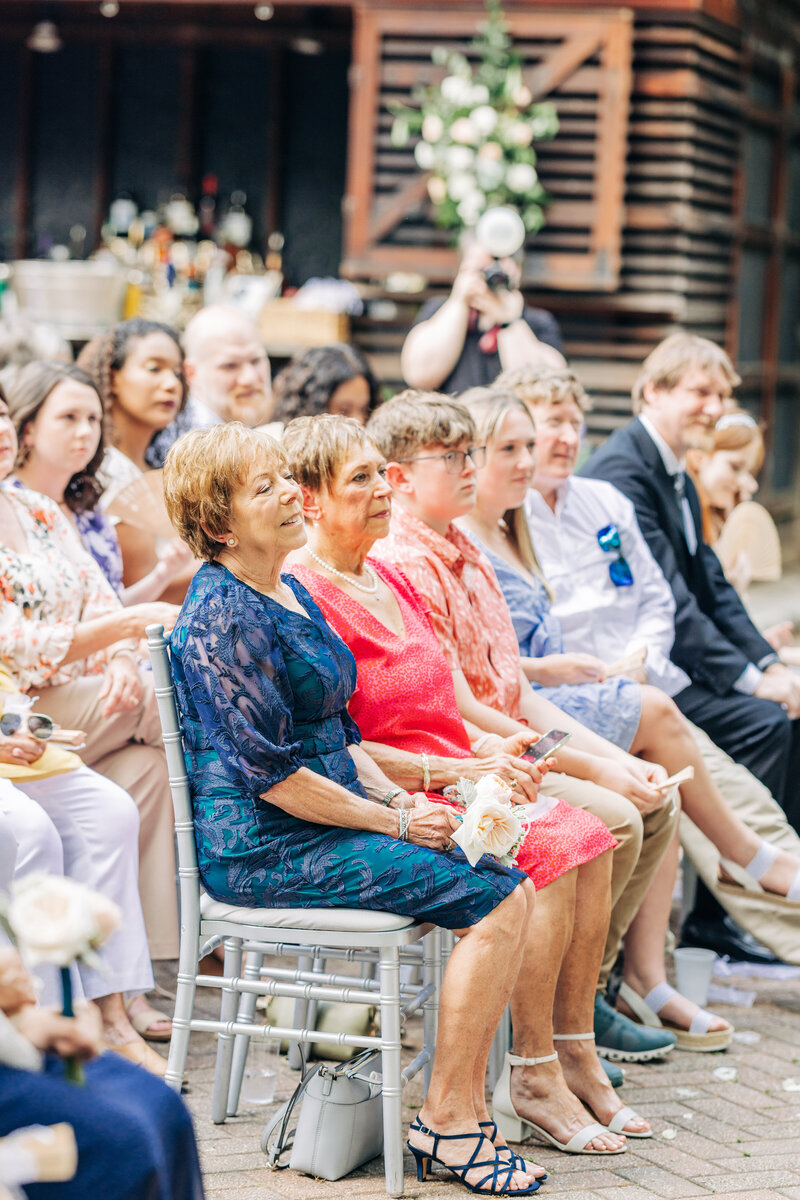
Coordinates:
(575, 994)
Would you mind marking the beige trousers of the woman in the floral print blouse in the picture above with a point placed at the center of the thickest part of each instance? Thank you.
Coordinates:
(128, 749)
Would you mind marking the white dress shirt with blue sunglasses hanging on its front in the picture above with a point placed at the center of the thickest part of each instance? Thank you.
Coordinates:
(597, 616)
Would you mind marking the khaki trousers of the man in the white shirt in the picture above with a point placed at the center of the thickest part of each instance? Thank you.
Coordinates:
(775, 927)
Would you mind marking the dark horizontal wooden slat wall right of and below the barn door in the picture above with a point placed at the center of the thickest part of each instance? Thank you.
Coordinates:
(678, 217)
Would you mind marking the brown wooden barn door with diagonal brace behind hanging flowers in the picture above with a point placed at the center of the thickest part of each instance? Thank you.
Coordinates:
(581, 62)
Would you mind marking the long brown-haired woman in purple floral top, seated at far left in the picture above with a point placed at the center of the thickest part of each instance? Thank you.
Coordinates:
(58, 416)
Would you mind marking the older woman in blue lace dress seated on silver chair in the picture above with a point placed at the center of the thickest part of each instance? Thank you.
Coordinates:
(288, 806)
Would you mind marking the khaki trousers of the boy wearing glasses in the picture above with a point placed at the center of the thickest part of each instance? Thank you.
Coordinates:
(643, 839)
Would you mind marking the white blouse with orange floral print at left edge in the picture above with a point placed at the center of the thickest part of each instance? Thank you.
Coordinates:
(46, 591)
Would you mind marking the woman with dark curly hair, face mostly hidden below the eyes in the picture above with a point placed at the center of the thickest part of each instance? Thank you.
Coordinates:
(326, 380)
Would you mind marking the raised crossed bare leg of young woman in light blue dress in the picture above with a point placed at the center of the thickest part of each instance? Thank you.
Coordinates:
(664, 736)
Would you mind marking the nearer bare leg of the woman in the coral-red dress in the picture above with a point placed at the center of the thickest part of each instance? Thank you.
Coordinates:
(542, 1094)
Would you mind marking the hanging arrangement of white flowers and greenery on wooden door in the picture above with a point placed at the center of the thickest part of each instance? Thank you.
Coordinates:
(477, 131)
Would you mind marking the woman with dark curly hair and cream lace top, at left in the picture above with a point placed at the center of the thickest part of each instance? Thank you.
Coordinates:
(139, 371)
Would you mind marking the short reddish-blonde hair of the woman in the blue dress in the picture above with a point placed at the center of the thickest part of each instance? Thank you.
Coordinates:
(202, 475)
